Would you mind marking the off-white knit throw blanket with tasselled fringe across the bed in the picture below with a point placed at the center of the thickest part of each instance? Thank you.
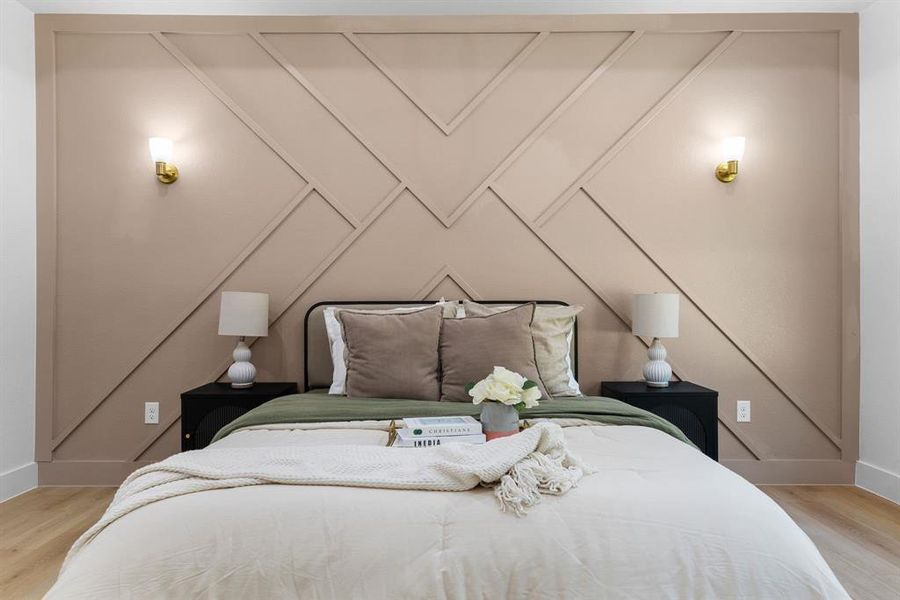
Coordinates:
(526, 465)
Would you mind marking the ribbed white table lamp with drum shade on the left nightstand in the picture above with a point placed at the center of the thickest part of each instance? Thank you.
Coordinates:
(243, 314)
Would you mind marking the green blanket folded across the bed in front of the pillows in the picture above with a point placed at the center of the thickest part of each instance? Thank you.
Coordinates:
(315, 408)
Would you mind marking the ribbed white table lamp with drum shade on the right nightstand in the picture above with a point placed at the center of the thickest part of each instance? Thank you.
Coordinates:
(655, 316)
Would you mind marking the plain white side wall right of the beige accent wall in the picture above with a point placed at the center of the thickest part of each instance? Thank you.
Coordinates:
(878, 468)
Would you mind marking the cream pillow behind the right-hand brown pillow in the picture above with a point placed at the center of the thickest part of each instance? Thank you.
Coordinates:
(552, 330)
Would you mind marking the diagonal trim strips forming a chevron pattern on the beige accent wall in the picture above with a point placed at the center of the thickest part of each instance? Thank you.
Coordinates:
(488, 186)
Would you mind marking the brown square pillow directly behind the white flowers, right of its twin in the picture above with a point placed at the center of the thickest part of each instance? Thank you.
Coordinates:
(472, 347)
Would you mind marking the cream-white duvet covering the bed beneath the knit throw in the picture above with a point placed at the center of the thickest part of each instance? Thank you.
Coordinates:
(656, 520)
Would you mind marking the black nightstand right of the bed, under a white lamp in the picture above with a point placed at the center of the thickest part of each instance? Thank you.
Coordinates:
(690, 407)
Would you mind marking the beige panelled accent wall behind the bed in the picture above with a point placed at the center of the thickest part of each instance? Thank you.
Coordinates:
(480, 157)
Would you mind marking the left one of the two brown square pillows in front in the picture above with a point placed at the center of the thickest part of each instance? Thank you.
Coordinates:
(392, 355)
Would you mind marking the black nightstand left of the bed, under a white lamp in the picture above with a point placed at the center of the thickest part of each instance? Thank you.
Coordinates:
(208, 408)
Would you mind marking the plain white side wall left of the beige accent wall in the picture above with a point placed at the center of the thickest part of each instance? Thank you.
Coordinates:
(18, 471)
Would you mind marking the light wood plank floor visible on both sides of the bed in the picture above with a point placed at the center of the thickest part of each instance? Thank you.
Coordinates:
(857, 532)
